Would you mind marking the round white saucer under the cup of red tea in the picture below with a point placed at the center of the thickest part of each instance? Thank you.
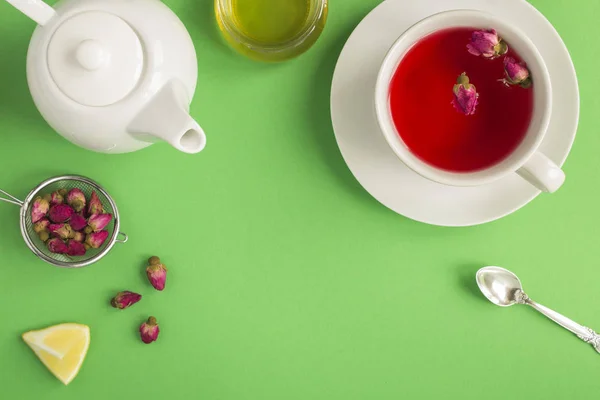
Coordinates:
(378, 169)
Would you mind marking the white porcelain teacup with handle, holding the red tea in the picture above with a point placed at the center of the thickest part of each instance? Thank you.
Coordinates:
(526, 160)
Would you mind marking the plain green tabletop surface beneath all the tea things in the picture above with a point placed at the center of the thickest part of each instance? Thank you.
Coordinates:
(287, 280)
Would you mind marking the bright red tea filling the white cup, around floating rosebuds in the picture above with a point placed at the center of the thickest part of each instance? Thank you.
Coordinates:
(421, 98)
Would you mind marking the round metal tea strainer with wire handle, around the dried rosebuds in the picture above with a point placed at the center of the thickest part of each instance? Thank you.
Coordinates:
(67, 182)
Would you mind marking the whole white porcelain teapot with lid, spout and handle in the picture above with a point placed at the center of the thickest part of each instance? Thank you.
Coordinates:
(113, 76)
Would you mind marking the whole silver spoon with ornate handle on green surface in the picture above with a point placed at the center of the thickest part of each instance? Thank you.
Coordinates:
(504, 289)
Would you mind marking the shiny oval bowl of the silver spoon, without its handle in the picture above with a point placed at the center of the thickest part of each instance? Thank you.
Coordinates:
(498, 285)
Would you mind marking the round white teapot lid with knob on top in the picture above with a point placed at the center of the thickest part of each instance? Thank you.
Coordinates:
(95, 58)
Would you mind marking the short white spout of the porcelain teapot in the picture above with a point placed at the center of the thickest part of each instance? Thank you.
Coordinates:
(166, 117)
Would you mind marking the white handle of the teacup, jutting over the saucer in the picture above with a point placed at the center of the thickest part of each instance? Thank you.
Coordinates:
(542, 173)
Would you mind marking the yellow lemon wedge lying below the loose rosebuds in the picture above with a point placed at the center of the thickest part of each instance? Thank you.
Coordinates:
(62, 348)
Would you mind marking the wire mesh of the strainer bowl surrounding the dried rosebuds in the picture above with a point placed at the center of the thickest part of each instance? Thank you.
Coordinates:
(87, 189)
